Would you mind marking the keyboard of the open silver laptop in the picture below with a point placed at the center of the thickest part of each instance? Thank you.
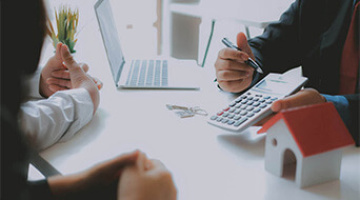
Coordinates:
(148, 73)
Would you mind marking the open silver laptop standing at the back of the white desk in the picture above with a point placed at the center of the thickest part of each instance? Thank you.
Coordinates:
(140, 73)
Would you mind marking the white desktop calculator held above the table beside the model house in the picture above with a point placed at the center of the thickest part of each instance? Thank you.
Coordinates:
(255, 104)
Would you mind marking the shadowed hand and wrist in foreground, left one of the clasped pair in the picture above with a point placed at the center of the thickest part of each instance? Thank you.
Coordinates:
(99, 181)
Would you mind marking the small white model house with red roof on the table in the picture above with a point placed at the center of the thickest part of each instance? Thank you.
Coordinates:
(312, 138)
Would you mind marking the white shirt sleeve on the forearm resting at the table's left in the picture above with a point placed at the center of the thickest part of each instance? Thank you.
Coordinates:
(57, 118)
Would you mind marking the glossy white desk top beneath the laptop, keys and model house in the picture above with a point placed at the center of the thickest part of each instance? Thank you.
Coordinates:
(206, 162)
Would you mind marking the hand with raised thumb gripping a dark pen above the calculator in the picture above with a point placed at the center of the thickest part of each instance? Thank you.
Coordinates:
(232, 73)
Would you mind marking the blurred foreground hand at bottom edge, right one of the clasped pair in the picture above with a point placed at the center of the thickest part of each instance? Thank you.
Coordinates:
(146, 180)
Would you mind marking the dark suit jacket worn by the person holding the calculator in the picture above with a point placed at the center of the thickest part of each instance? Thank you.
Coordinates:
(311, 33)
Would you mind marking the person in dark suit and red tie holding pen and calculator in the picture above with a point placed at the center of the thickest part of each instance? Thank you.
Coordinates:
(323, 37)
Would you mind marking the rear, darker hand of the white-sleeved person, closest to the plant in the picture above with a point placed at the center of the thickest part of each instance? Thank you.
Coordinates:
(56, 77)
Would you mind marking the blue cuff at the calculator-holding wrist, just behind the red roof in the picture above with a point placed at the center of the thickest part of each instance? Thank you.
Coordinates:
(342, 106)
